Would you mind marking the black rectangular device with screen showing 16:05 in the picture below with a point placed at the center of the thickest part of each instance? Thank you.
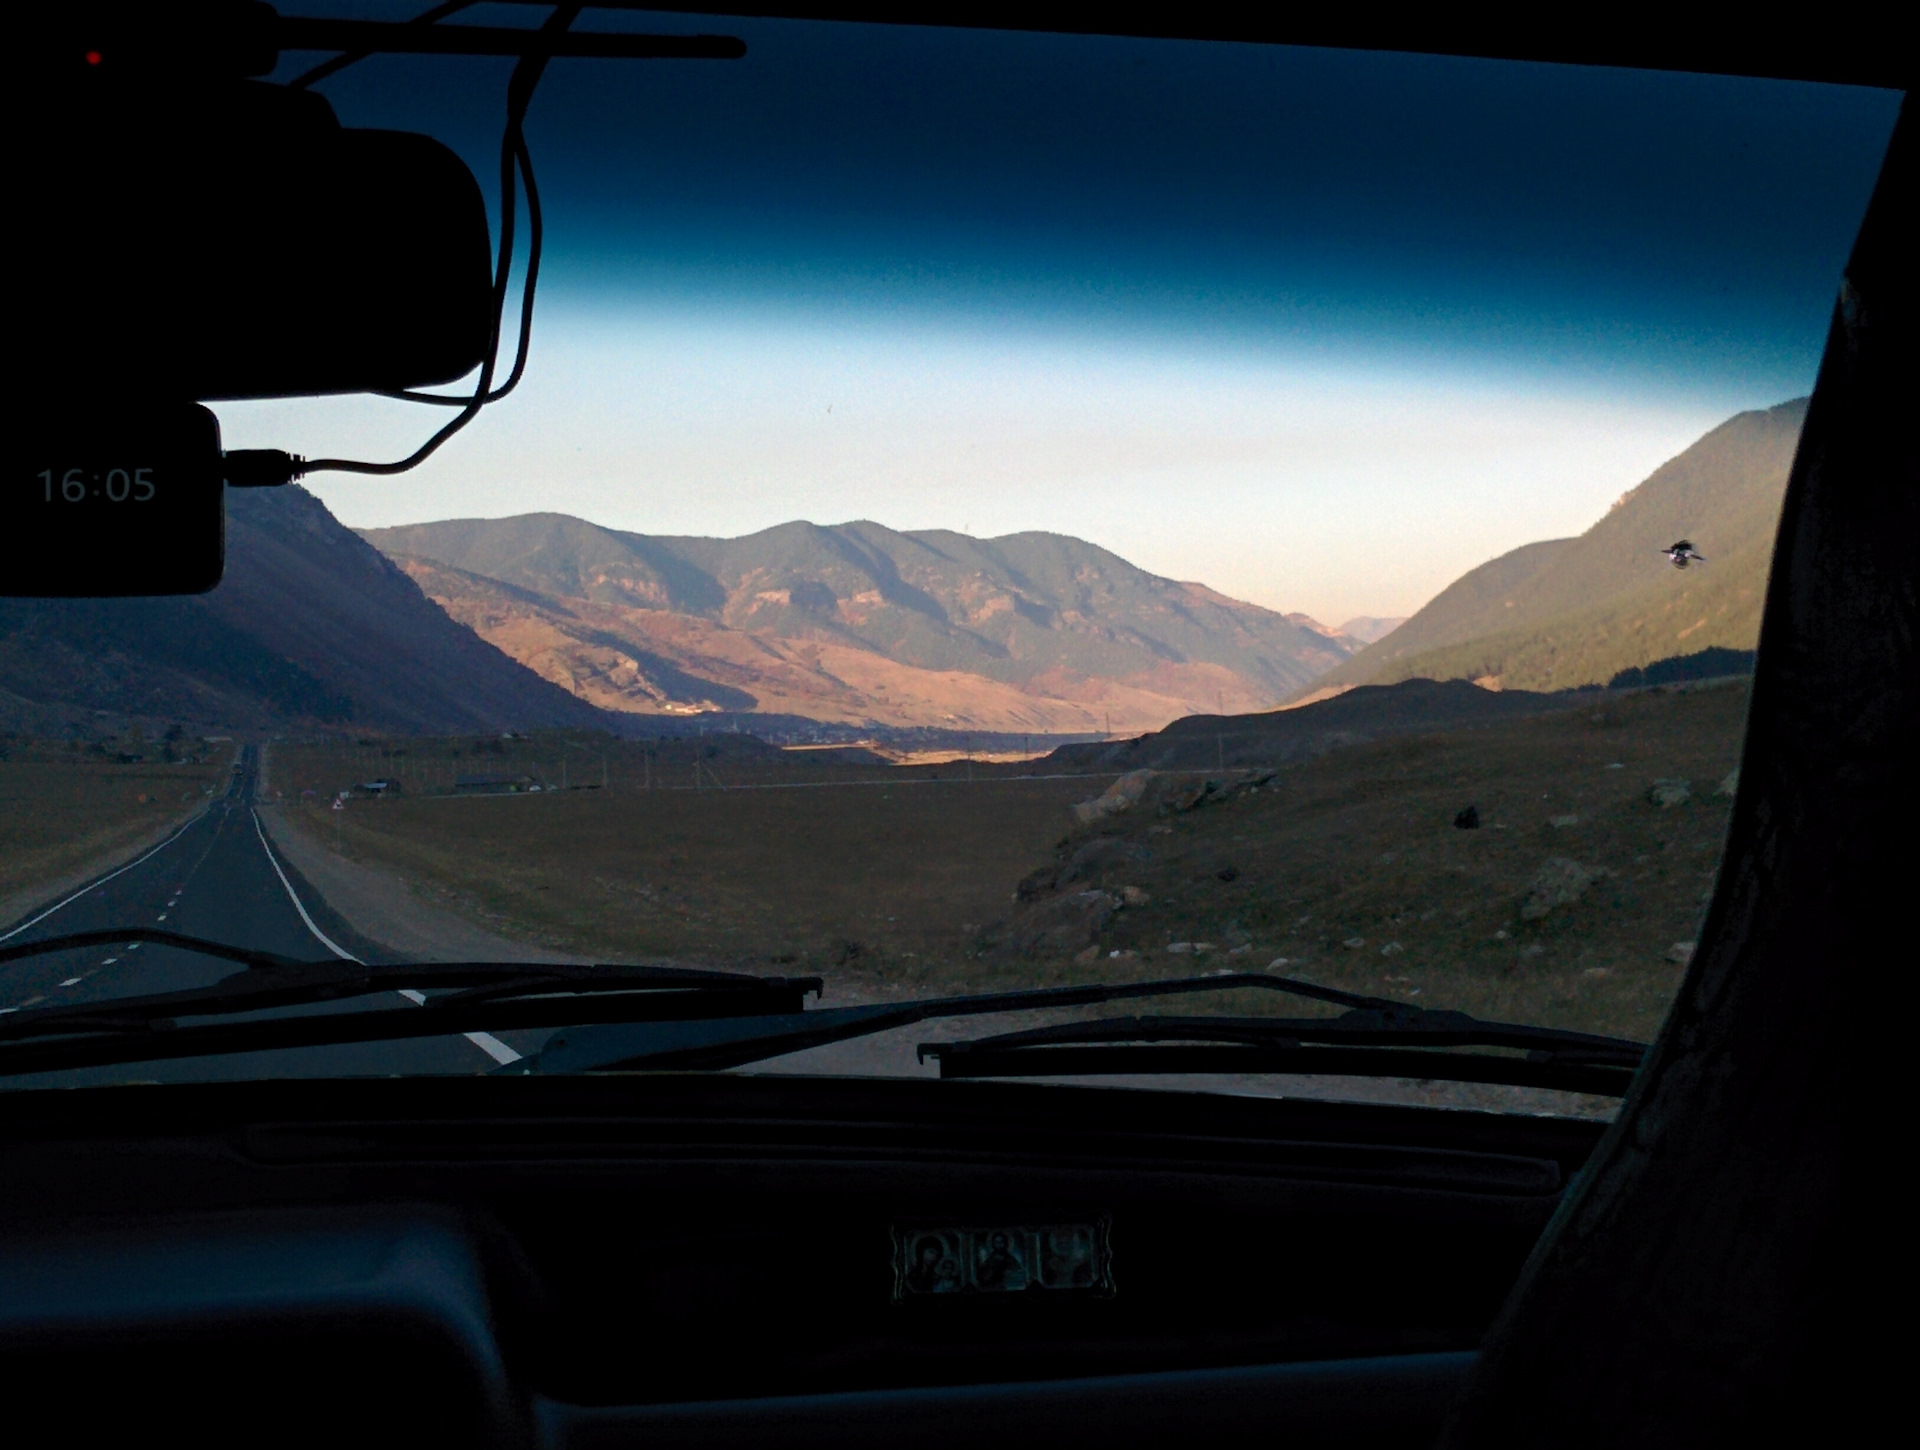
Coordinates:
(114, 502)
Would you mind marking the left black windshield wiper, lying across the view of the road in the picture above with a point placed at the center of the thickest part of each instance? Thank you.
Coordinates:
(469, 998)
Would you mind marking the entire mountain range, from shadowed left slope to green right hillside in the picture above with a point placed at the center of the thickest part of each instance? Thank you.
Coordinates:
(554, 621)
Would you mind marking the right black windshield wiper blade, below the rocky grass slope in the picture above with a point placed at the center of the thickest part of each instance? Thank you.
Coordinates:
(1360, 1044)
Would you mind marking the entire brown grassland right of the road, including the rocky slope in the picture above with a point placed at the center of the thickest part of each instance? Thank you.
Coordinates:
(1566, 904)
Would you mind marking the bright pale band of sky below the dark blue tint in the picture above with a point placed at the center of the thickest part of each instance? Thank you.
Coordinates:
(1289, 483)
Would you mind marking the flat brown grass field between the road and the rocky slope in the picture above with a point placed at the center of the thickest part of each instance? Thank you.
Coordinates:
(777, 858)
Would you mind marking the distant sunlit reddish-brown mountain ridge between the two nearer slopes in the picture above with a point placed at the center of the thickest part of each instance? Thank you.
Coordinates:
(857, 621)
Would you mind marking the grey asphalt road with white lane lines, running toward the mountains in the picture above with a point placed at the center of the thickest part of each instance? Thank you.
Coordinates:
(222, 881)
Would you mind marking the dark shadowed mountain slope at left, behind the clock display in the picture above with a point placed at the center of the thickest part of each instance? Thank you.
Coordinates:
(310, 625)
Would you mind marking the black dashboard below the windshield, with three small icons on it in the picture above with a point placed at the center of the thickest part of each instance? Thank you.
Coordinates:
(677, 1259)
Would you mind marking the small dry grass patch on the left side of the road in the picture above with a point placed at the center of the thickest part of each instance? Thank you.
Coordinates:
(68, 810)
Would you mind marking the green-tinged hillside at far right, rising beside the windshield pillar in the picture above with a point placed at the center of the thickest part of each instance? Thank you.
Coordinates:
(1577, 612)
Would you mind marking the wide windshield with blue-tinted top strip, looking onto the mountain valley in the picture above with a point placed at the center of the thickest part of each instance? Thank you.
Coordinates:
(988, 514)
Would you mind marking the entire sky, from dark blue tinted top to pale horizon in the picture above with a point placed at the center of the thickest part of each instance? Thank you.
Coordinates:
(1318, 329)
